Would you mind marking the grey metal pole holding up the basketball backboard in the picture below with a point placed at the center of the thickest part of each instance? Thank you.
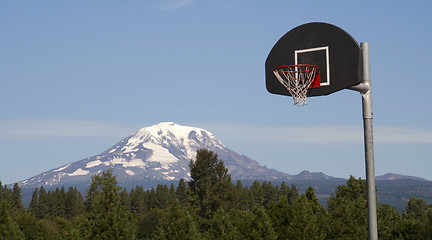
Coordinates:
(368, 142)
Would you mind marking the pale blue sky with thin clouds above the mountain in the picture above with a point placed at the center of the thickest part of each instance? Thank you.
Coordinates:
(78, 76)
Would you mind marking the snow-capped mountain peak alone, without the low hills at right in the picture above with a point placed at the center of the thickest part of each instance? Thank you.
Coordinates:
(158, 153)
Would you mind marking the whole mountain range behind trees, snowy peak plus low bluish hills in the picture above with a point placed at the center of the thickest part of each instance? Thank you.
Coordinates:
(160, 154)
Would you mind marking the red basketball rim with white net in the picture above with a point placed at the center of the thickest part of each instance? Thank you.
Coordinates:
(298, 79)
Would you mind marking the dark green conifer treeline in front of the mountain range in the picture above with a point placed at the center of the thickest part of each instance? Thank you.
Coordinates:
(209, 206)
